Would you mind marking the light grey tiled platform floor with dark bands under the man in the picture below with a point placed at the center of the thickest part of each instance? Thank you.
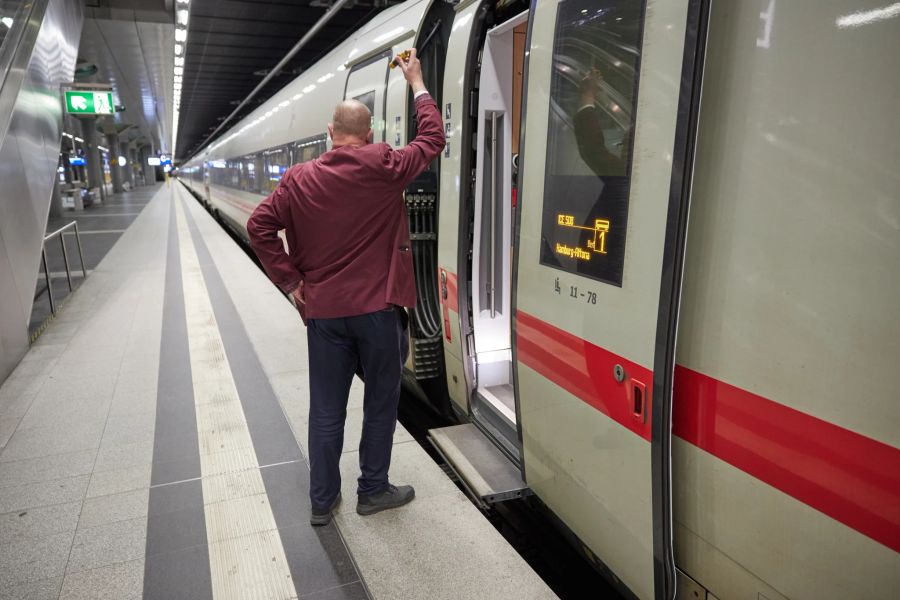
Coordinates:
(153, 445)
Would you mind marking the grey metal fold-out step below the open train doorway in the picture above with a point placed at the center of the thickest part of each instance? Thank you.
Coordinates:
(485, 472)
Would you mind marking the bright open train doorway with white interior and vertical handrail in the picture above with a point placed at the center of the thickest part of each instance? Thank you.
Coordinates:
(499, 101)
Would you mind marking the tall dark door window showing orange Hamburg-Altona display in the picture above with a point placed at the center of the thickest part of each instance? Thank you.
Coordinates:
(593, 99)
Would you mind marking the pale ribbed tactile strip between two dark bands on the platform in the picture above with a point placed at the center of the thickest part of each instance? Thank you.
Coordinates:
(246, 556)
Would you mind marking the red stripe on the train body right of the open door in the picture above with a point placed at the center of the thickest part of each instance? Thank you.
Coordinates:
(850, 477)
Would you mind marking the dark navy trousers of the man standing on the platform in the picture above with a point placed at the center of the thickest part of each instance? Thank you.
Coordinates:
(378, 344)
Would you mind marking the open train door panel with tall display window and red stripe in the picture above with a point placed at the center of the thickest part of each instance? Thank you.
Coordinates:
(612, 93)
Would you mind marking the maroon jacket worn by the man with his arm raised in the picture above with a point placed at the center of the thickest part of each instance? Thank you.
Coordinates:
(346, 224)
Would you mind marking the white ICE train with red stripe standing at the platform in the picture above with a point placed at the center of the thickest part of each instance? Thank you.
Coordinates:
(658, 270)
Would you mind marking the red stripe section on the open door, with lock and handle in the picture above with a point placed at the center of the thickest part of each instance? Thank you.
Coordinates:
(585, 370)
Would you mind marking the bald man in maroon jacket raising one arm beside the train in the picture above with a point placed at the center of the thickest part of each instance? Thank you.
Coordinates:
(349, 272)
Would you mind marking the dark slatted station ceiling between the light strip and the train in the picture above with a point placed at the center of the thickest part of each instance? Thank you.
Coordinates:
(232, 44)
